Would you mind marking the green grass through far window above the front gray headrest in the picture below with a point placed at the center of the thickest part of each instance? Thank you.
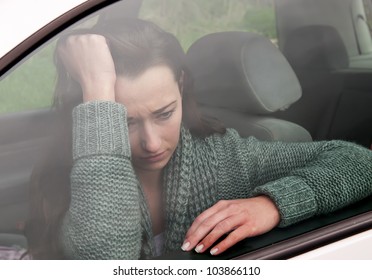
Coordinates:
(191, 19)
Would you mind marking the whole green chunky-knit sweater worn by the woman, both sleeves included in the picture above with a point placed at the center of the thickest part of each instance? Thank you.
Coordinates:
(109, 218)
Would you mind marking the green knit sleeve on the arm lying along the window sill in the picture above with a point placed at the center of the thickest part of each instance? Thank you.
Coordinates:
(303, 179)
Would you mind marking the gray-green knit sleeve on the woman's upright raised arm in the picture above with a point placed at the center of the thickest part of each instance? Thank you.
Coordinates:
(103, 221)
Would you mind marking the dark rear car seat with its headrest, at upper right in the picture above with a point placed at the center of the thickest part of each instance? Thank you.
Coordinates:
(316, 53)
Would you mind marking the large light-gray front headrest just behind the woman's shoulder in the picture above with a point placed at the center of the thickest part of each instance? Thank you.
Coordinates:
(242, 71)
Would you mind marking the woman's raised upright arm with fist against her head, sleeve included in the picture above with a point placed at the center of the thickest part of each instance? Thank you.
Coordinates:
(103, 221)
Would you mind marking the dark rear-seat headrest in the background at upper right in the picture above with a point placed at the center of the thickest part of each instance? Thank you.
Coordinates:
(318, 47)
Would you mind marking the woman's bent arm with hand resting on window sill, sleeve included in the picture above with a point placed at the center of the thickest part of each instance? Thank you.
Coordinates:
(289, 181)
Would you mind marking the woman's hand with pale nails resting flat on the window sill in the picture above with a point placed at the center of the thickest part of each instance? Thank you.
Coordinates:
(238, 219)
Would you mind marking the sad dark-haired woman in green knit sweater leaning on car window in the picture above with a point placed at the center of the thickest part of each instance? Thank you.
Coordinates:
(149, 175)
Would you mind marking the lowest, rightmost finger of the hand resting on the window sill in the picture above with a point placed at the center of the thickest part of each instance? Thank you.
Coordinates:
(234, 237)
